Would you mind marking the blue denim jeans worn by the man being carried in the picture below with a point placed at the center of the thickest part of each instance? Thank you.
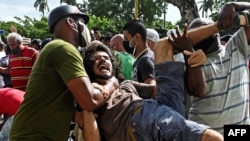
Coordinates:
(158, 119)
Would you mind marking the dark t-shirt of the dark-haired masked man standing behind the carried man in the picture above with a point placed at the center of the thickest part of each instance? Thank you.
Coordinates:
(143, 67)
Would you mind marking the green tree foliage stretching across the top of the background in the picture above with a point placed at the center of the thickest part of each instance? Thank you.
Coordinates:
(111, 15)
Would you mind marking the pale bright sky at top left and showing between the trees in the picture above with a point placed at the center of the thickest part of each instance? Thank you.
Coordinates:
(21, 8)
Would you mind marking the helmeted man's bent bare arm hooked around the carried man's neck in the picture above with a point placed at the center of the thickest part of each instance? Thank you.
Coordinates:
(88, 97)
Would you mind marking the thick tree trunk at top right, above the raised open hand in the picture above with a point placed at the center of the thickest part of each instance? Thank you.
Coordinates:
(188, 9)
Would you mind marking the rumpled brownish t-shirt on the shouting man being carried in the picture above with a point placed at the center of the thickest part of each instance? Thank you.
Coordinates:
(114, 116)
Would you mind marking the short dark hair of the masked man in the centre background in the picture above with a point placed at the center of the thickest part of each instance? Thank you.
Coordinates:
(134, 27)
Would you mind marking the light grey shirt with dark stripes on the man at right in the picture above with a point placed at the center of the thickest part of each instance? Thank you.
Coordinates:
(227, 86)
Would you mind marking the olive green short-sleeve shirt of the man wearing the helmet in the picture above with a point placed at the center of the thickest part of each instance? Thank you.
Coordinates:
(48, 105)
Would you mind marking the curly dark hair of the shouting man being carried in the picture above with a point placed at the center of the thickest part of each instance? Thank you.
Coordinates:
(88, 56)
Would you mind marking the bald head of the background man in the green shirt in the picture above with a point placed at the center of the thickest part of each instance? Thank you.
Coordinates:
(116, 42)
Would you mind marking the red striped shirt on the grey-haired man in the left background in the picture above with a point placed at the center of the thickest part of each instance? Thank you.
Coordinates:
(20, 67)
